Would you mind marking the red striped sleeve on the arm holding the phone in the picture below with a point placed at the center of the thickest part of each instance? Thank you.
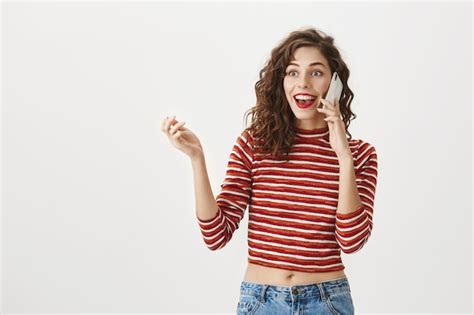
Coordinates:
(354, 229)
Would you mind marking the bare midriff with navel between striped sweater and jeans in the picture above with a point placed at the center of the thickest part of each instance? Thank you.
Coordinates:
(281, 277)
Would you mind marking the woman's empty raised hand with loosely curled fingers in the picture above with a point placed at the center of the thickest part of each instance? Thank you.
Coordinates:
(181, 137)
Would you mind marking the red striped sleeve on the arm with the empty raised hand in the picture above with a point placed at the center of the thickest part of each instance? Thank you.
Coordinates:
(234, 197)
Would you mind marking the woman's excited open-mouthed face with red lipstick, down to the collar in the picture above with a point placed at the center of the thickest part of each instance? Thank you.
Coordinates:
(308, 74)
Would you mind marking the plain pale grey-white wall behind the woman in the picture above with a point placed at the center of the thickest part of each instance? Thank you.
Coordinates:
(98, 208)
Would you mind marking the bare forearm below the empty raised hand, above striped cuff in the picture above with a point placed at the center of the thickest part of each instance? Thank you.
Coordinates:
(206, 206)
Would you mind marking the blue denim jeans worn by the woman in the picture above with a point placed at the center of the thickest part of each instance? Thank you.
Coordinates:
(331, 297)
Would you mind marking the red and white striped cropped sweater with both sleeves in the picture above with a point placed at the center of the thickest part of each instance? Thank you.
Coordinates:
(293, 223)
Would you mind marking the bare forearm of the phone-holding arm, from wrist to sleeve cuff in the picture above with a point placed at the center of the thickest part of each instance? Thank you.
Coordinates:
(349, 199)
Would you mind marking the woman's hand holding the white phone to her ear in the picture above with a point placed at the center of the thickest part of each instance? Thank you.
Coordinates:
(337, 129)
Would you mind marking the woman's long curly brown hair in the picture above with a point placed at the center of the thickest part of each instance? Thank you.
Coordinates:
(273, 122)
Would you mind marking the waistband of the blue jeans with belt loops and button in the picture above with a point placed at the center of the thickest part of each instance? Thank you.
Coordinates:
(316, 290)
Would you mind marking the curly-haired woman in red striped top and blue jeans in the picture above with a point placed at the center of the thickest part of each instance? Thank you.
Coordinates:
(309, 188)
